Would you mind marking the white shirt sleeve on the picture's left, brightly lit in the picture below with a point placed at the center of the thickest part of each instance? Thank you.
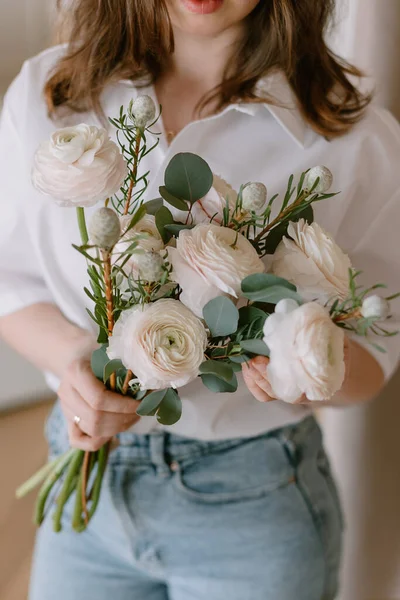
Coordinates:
(21, 282)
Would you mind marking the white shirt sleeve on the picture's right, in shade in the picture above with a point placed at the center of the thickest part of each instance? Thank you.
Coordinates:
(370, 226)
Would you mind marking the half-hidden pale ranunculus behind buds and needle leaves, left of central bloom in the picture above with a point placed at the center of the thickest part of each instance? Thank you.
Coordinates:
(148, 239)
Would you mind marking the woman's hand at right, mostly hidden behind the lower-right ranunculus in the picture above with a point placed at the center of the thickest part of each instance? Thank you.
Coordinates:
(256, 379)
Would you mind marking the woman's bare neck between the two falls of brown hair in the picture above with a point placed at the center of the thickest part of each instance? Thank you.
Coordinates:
(202, 61)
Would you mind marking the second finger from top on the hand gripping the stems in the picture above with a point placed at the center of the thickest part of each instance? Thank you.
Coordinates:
(96, 423)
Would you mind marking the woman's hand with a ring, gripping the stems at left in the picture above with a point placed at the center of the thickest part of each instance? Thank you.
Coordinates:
(102, 413)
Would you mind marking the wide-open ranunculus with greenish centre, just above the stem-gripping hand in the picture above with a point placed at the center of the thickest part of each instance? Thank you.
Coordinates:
(162, 343)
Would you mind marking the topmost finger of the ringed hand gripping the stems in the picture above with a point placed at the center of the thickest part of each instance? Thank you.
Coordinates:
(96, 394)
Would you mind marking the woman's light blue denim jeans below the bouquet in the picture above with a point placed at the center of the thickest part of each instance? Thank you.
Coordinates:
(181, 519)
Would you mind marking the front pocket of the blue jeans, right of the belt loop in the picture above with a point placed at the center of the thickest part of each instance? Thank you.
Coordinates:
(246, 472)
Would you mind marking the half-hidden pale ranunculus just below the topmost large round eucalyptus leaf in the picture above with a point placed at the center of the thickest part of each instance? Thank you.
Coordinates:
(211, 206)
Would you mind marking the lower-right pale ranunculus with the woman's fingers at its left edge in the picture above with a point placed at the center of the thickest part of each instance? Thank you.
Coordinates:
(306, 353)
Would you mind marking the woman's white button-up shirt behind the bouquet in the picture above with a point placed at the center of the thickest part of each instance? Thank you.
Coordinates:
(243, 143)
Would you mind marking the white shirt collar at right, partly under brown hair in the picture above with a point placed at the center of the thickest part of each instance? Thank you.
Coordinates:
(285, 111)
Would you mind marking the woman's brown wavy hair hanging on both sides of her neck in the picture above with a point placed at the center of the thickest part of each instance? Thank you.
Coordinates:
(109, 40)
